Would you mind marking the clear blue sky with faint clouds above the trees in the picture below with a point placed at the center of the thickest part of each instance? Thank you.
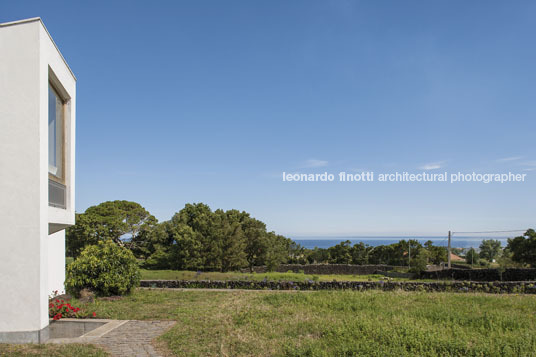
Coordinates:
(210, 101)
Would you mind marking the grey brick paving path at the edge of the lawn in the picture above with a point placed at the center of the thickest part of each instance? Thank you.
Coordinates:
(133, 338)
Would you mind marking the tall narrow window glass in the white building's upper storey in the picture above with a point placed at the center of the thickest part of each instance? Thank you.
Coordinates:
(55, 133)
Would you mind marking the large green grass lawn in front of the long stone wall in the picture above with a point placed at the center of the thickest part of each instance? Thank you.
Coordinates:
(335, 323)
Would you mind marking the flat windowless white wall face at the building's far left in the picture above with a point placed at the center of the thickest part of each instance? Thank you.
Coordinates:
(20, 179)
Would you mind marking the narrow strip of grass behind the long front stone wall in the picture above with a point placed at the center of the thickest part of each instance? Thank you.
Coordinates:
(192, 275)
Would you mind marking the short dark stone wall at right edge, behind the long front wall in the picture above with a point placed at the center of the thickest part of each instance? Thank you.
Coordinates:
(482, 274)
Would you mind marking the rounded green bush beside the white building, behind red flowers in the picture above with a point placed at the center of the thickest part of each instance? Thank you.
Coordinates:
(107, 269)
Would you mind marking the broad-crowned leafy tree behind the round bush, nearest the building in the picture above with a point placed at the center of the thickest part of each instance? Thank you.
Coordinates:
(123, 222)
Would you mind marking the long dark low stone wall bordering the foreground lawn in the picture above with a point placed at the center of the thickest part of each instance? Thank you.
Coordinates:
(497, 287)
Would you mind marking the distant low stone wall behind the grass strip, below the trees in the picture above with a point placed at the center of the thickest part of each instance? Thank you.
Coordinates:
(338, 269)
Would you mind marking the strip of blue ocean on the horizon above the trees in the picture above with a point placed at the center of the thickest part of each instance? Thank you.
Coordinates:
(456, 241)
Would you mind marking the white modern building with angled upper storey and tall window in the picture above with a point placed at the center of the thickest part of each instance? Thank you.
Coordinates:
(37, 166)
